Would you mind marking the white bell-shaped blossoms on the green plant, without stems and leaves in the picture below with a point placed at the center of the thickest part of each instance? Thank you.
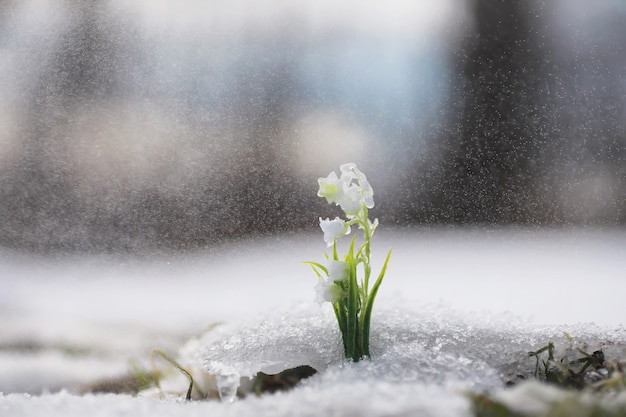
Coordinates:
(354, 194)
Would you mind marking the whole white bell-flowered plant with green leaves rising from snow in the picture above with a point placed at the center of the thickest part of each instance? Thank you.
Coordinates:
(345, 281)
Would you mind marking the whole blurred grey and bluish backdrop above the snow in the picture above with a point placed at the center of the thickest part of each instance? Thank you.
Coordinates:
(154, 124)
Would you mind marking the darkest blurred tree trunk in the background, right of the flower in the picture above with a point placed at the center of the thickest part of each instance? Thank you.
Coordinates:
(491, 164)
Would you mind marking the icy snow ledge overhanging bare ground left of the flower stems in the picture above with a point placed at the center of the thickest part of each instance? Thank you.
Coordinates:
(302, 335)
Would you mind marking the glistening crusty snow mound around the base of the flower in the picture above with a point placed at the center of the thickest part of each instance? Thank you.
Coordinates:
(432, 346)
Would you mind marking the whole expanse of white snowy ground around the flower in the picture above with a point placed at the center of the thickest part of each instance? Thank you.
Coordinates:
(458, 310)
